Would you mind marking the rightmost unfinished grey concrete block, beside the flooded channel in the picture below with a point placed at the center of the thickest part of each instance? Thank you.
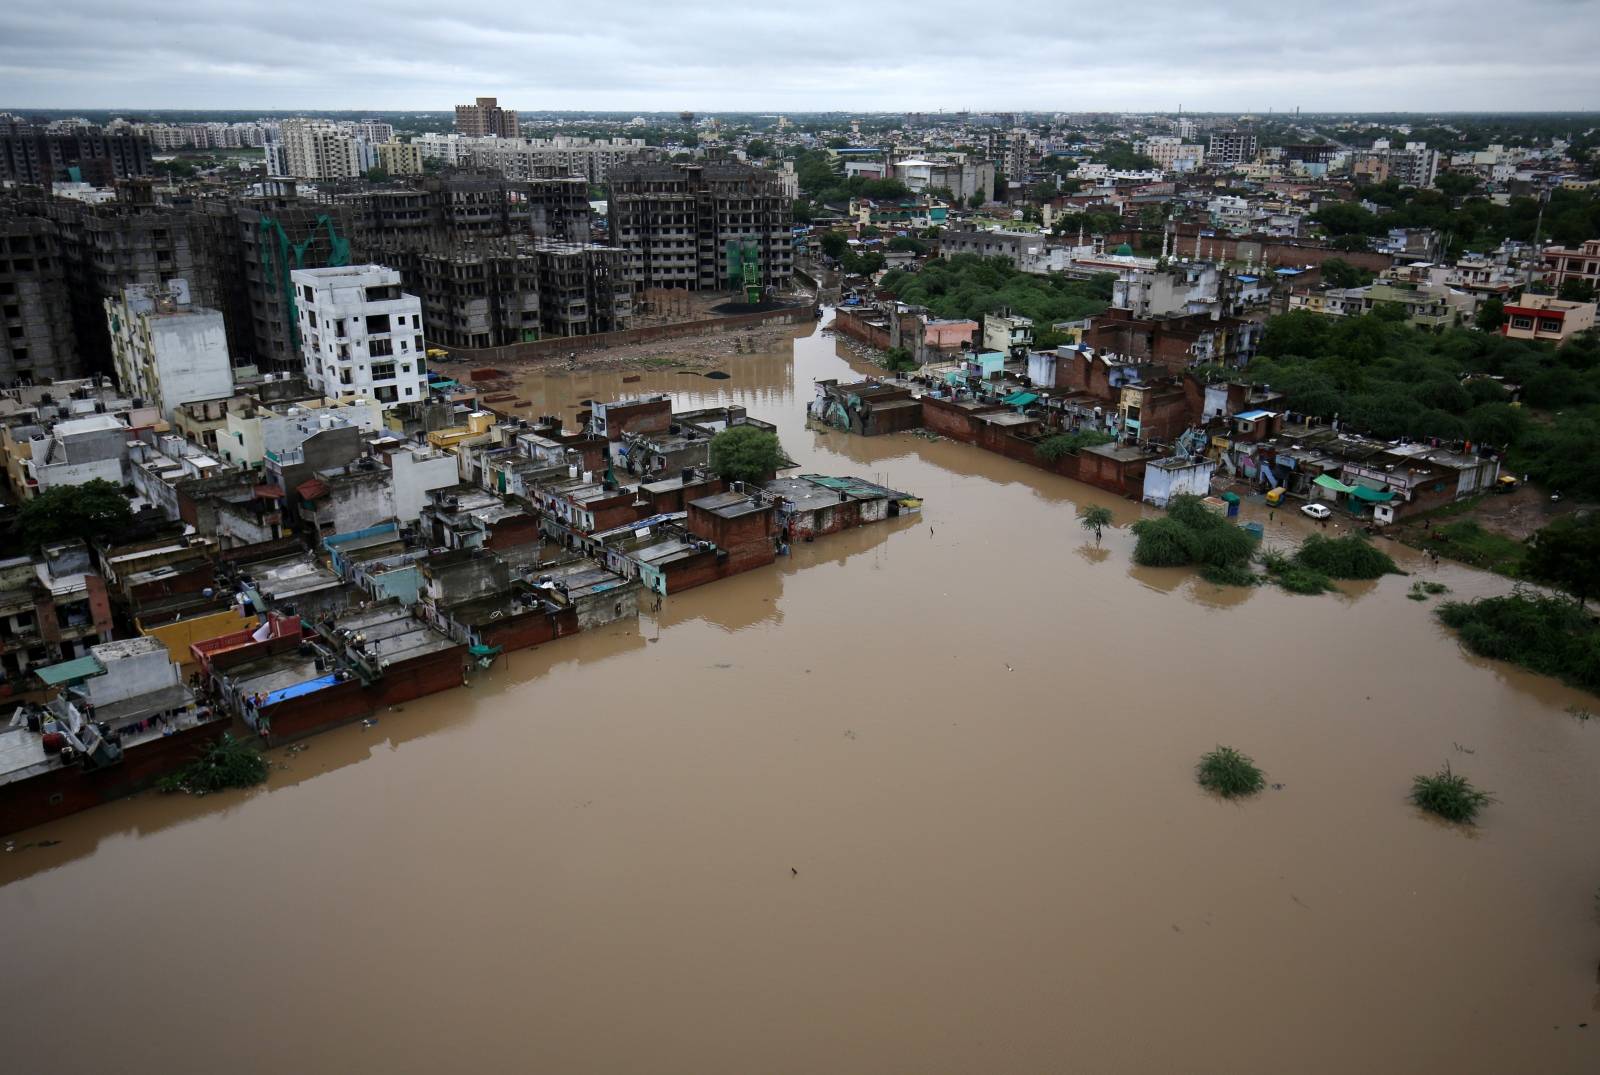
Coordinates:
(698, 225)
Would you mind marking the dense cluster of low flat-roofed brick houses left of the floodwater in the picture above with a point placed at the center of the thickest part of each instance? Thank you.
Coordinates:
(345, 559)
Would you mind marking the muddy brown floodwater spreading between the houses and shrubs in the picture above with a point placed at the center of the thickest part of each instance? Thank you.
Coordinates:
(918, 799)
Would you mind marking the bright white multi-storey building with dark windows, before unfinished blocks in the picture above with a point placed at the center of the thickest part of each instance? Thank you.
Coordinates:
(361, 335)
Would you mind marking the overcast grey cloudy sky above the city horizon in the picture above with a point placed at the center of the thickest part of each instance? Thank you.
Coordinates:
(822, 55)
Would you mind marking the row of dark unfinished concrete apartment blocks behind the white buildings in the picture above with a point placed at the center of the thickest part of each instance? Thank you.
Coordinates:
(498, 263)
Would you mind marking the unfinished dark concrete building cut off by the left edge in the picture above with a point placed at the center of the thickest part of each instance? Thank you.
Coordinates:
(36, 314)
